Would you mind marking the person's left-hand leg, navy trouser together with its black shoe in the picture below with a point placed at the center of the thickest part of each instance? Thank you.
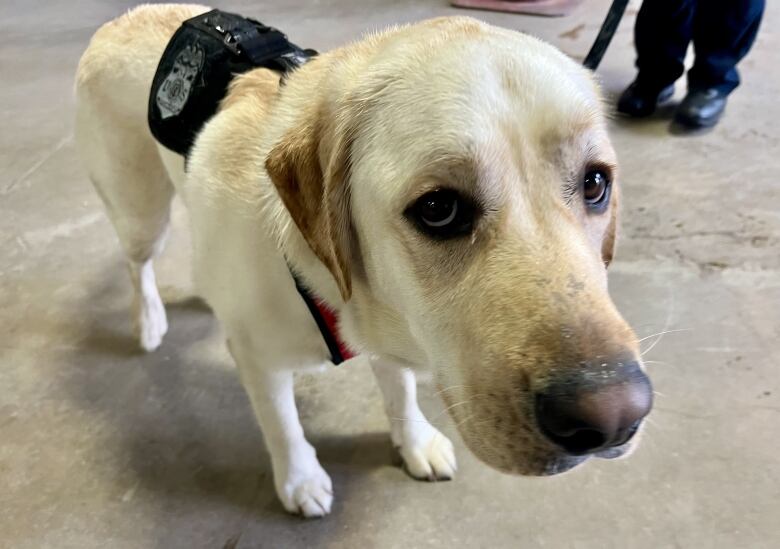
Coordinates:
(662, 33)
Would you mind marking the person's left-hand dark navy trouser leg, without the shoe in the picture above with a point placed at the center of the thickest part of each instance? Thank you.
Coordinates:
(663, 30)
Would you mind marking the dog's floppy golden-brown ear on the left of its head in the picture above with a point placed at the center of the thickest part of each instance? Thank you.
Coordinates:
(311, 178)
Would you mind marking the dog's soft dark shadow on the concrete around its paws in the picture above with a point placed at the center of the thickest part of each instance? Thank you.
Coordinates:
(182, 430)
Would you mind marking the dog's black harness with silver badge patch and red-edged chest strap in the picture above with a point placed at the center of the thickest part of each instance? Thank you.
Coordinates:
(193, 75)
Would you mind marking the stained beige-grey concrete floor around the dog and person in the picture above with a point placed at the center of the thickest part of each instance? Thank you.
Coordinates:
(101, 446)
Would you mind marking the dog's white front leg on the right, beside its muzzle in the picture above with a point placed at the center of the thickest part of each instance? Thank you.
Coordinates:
(427, 454)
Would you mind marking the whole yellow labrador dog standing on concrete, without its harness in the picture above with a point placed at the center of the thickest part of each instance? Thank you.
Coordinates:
(448, 188)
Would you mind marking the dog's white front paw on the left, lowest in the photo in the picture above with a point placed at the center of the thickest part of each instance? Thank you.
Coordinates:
(303, 486)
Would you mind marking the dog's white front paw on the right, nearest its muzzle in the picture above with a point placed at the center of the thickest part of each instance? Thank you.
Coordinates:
(427, 454)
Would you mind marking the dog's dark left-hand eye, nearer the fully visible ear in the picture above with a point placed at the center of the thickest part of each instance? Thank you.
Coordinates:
(442, 214)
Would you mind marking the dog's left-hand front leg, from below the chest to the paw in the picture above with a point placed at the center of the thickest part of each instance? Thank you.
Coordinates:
(301, 483)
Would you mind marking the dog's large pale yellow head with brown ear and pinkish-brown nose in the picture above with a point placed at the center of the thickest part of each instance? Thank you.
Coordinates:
(459, 179)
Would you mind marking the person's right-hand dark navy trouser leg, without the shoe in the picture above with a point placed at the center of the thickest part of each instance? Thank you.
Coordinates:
(723, 33)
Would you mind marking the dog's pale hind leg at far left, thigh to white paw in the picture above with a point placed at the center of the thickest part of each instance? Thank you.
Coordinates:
(128, 174)
